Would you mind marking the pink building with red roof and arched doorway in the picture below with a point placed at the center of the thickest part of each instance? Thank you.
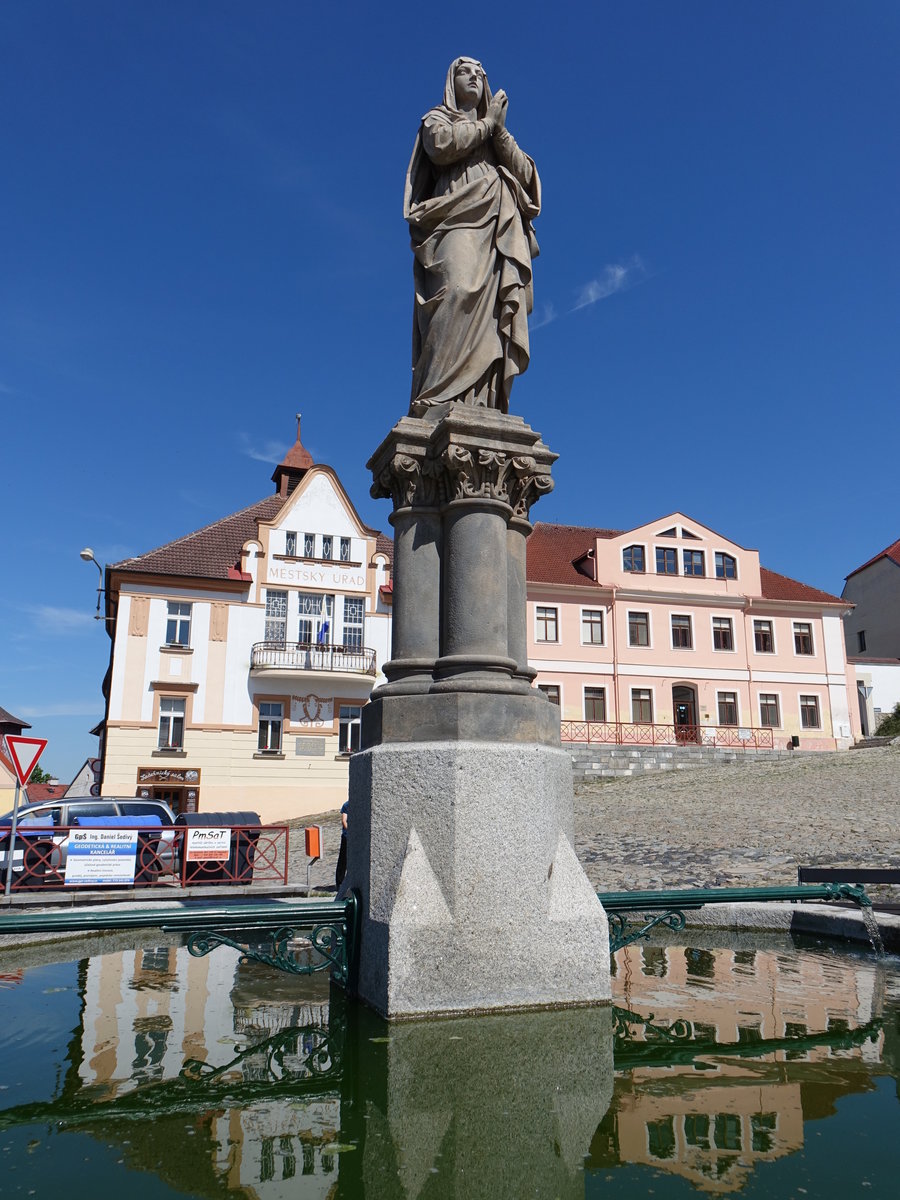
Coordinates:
(671, 633)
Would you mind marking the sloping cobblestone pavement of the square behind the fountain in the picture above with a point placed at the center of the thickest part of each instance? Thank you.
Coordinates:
(742, 825)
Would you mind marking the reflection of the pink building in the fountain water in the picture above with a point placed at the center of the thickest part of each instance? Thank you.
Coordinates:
(770, 1040)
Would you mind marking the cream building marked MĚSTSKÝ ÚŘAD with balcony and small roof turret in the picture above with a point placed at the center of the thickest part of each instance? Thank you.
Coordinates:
(243, 653)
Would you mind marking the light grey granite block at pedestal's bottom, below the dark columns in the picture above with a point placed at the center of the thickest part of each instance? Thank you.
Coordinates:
(472, 896)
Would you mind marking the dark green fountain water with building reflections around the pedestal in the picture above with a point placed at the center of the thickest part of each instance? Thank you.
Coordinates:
(758, 1070)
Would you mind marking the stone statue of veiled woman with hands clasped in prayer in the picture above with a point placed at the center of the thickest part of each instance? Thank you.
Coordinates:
(471, 197)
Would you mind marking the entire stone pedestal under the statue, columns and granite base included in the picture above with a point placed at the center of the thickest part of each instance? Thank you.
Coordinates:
(461, 799)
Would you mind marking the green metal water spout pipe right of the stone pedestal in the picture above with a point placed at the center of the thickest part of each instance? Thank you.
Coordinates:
(669, 907)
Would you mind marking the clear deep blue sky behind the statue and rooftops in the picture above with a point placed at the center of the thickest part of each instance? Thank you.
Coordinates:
(202, 235)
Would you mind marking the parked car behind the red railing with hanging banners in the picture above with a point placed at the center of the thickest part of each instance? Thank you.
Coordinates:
(65, 813)
